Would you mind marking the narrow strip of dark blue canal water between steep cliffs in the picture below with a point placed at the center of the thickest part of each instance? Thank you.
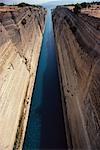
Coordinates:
(45, 129)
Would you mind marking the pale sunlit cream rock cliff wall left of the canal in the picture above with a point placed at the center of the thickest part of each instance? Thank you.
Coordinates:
(21, 32)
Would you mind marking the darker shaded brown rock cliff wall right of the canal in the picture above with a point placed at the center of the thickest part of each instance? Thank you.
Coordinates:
(78, 50)
